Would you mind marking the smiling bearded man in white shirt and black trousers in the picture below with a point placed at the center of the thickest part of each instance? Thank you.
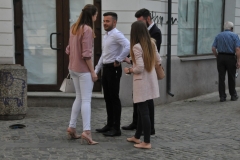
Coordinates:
(115, 48)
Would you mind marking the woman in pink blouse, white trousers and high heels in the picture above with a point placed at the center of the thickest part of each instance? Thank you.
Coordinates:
(81, 70)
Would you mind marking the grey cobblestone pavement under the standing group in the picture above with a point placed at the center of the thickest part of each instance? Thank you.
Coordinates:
(200, 128)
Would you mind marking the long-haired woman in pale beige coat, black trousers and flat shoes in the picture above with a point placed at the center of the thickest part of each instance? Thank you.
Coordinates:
(145, 83)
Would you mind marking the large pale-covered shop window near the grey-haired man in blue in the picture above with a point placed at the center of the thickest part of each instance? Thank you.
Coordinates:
(199, 21)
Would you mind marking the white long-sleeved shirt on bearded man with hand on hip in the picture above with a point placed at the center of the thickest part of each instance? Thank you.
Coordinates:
(114, 47)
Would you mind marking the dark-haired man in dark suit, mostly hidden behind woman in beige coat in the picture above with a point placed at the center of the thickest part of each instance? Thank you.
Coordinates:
(145, 16)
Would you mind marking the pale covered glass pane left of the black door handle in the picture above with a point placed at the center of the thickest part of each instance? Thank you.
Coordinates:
(39, 21)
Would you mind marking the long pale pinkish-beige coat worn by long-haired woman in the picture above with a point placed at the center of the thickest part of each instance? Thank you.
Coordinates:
(145, 84)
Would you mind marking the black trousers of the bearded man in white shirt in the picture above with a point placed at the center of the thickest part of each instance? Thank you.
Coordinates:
(111, 84)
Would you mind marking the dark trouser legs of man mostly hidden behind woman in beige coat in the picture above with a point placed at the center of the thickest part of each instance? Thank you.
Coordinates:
(151, 113)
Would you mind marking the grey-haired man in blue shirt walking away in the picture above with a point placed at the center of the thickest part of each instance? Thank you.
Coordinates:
(226, 48)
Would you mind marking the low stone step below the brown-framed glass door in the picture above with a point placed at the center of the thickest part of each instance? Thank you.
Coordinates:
(61, 94)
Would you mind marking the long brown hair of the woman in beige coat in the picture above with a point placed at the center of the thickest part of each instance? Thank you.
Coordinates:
(140, 34)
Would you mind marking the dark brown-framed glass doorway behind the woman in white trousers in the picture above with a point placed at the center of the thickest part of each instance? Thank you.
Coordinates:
(41, 36)
